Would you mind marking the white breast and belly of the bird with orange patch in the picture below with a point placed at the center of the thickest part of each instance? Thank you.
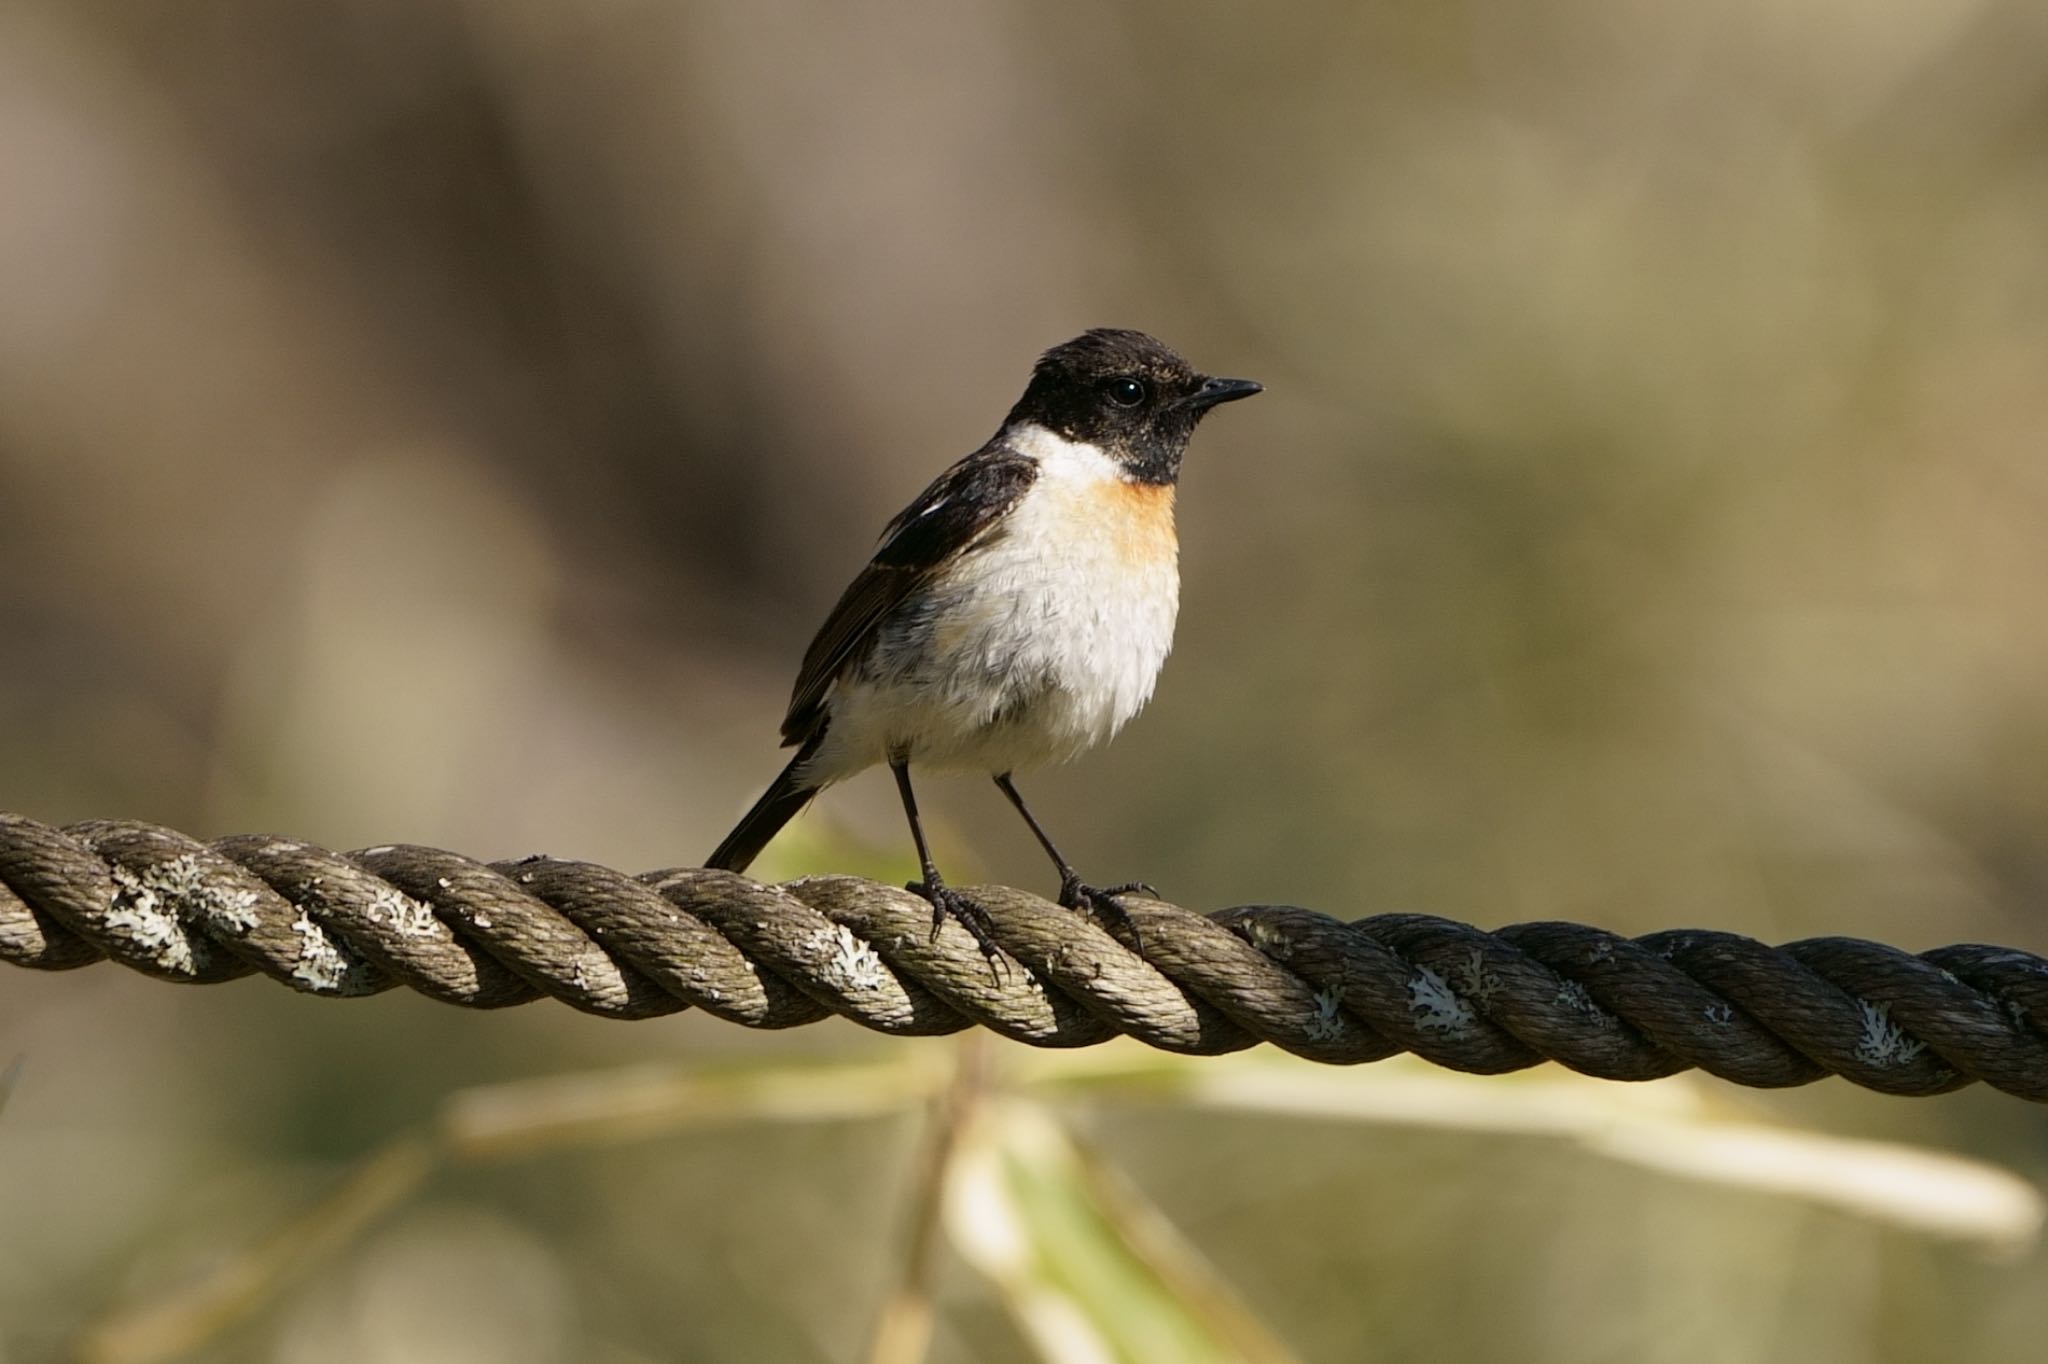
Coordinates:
(1037, 646)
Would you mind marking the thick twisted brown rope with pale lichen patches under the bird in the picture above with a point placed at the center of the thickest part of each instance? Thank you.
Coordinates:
(773, 957)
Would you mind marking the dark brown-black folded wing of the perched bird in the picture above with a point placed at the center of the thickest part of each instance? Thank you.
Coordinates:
(955, 515)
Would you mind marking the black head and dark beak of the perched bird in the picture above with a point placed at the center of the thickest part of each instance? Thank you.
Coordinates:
(1129, 394)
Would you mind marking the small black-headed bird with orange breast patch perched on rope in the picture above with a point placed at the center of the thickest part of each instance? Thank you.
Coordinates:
(1015, 615)
